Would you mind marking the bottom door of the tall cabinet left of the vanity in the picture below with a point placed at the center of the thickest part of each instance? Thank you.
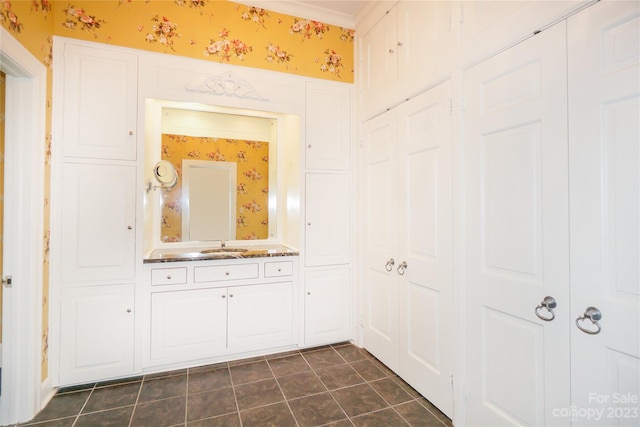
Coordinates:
(96, 333)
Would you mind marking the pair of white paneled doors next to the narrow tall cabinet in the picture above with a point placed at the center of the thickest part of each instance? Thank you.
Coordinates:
(408, 260)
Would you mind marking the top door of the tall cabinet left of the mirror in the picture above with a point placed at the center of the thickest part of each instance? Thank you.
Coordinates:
(100, 103)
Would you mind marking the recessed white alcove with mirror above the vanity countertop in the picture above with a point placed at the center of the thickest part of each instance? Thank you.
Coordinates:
(231, 168)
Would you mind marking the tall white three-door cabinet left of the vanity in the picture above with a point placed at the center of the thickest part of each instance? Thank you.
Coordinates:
(94, 234)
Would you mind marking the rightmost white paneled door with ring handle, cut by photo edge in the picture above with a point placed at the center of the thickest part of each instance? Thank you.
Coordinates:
(604, 116)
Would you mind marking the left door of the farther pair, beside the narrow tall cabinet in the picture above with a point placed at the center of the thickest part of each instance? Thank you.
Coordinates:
(381, 239)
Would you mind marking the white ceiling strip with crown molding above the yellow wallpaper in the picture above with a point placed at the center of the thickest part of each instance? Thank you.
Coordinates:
(336, 12)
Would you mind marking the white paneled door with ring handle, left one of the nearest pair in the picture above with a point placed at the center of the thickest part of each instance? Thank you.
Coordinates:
(516, 220)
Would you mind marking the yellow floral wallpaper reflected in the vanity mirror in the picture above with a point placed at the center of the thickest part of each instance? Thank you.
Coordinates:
(252, 197)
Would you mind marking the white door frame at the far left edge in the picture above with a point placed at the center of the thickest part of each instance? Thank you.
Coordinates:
(23, 392)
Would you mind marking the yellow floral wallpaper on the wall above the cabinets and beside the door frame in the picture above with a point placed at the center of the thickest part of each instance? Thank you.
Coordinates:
(210, 30)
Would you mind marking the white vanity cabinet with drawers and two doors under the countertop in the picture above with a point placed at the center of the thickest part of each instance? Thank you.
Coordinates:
(214, 309)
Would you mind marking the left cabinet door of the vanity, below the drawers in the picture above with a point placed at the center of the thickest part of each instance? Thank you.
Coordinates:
(188, 324)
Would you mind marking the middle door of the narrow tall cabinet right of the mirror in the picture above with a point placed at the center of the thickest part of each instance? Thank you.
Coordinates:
(328, 215)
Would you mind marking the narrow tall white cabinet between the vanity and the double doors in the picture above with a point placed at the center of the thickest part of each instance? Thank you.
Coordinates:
(328, 214)
